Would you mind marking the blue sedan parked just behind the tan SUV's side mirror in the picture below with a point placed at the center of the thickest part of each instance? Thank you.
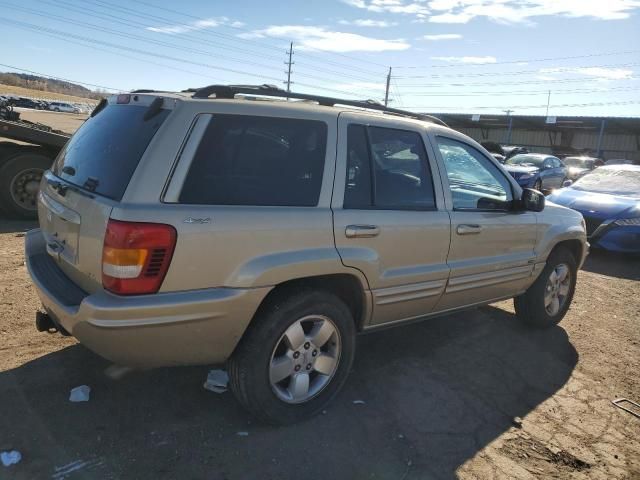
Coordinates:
(537, 170)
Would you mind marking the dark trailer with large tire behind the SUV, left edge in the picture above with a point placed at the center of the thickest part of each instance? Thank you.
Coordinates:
(27, 149)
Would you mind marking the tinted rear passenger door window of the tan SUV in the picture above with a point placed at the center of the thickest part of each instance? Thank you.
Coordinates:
(398, 160)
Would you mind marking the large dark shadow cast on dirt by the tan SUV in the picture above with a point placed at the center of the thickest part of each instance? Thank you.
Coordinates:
(436, 392)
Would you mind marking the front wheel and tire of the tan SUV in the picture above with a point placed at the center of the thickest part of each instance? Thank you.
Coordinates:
(547, 301)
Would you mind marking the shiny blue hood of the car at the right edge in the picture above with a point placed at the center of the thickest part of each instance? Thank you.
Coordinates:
(599, 205)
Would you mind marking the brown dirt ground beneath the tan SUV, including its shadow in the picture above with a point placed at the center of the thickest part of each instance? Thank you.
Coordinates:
(441, 399)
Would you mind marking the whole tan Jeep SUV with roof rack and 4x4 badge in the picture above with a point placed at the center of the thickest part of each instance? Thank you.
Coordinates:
(180, 229)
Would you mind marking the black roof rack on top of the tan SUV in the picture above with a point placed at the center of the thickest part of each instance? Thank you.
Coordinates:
(230, 91)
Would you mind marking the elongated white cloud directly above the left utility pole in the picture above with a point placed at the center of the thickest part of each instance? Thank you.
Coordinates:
(319, 38)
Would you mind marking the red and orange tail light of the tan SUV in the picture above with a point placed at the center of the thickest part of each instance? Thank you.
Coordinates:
(136, 256)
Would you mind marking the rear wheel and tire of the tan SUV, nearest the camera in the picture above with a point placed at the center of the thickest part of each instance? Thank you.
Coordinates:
(294, 358)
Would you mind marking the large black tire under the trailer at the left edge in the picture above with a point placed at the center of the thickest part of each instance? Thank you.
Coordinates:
(20, 176)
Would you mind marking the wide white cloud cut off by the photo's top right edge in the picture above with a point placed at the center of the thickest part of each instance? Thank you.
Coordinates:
(501, 11)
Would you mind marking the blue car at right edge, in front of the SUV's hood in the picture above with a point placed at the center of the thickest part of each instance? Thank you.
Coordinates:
(609, 200)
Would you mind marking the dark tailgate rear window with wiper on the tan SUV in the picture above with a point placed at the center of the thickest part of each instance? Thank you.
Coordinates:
(105, 151)
